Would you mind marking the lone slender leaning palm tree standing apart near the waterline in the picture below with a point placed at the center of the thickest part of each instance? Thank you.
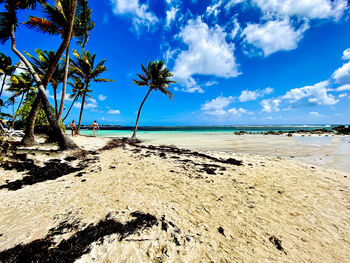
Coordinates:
(155, 77)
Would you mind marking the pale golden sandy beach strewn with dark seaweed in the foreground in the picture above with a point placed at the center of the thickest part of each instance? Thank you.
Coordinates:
(142, 203)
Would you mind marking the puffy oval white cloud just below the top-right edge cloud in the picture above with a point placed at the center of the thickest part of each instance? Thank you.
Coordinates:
(273, 36)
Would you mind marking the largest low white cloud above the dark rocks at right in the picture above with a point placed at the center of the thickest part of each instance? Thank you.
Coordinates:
(311, 95)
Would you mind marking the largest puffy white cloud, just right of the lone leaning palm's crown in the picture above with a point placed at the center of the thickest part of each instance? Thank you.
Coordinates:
(208, 54)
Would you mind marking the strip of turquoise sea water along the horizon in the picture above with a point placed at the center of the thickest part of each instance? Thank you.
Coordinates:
(127, 131)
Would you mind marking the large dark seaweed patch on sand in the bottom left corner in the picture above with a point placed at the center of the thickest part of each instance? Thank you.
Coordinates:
(78, 244)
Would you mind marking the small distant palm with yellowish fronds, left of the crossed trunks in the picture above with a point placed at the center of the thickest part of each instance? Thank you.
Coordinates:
(20, 85)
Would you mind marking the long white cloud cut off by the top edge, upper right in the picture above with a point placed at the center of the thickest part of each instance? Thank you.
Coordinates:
(303, 8)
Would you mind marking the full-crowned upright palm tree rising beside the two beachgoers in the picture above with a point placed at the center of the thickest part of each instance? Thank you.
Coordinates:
(84, 67)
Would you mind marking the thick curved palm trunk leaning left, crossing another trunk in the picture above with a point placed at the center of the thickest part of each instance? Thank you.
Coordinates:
(63, 141)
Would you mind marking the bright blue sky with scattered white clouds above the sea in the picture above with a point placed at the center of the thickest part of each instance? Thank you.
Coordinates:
(236, 62)
